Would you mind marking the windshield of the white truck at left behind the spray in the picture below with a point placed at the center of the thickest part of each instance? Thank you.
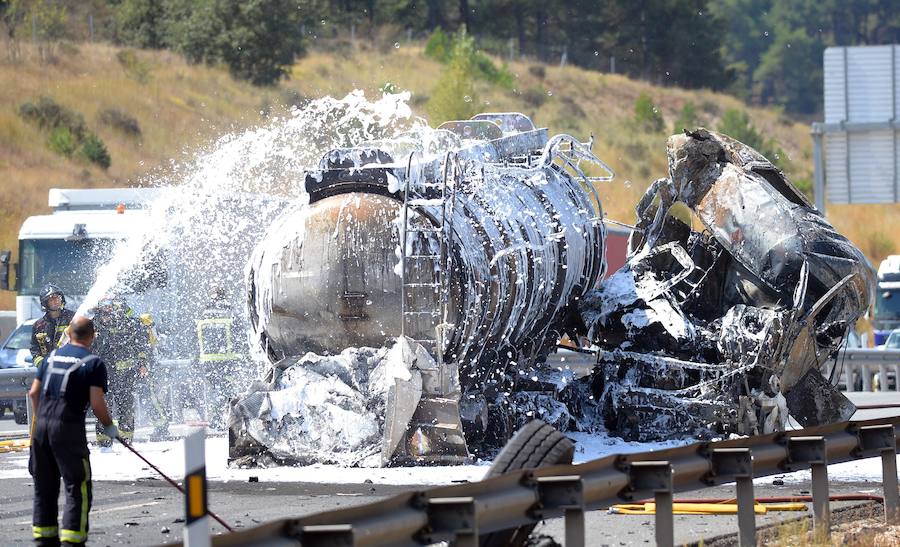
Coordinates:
(71, 265)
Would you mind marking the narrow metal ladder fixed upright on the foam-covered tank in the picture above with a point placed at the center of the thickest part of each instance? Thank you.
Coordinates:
(441, 259)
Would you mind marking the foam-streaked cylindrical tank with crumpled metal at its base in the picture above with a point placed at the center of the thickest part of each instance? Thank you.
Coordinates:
(467, 261)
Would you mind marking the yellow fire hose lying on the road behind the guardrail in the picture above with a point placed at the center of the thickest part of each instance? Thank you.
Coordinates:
(728, 506)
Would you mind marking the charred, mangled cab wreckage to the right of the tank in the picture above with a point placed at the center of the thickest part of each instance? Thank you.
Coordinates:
(735, 296)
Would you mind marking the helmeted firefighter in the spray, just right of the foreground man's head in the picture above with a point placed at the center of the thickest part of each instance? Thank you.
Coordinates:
(123, 343)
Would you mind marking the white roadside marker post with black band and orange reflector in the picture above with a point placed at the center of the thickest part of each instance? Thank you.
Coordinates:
(196, 521)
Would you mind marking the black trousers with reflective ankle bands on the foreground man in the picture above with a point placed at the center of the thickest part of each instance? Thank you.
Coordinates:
(59, 450)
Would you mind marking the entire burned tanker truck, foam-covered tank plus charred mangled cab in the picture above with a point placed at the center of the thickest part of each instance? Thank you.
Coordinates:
(408, 304)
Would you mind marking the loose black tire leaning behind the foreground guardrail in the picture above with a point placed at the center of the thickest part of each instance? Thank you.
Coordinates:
(534, 445)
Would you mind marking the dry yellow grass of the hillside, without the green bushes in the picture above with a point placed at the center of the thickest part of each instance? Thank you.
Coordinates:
(181, 108)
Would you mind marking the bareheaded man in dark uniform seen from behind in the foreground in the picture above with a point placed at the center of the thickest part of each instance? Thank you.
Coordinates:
(65, 383)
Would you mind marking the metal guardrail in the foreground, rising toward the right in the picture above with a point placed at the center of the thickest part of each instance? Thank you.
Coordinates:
(462, 513)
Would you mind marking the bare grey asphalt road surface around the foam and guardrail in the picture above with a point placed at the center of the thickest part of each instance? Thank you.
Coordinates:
(149, 511)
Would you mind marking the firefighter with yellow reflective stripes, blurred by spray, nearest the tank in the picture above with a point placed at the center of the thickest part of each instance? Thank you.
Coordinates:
(217, 358)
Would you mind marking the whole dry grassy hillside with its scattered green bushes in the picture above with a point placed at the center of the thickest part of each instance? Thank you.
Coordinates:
(84, 114)
